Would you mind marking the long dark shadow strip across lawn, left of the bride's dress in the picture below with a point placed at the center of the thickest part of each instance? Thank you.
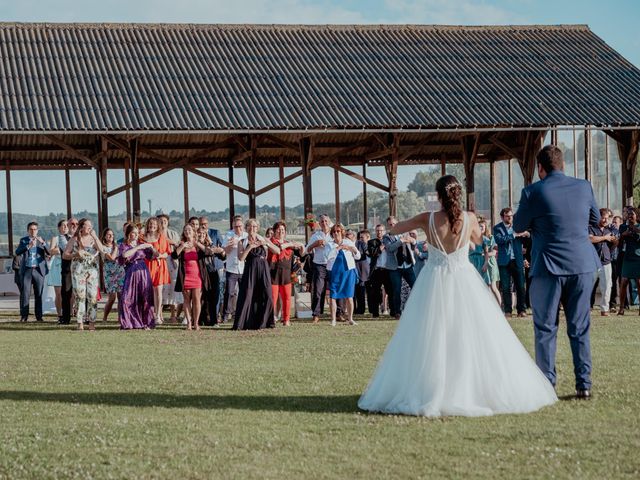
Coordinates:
(309, 404)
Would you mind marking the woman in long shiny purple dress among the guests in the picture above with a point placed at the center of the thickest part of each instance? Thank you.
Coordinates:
(135, 307)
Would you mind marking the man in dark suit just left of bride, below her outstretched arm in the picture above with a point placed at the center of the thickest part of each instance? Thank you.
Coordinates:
(399, 264)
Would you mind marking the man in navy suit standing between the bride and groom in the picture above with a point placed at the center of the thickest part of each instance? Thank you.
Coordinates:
(510, 262)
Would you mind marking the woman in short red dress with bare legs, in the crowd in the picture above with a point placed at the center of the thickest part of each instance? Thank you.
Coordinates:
(190, 274)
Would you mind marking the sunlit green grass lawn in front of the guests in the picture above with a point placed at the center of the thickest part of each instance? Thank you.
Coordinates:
(282, 404)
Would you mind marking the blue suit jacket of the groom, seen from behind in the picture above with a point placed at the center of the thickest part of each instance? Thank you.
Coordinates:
(558, 211)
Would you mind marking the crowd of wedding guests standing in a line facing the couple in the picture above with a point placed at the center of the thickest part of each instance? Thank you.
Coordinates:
(245, 278)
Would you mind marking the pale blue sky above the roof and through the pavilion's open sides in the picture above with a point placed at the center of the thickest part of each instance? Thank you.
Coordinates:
(615, 21)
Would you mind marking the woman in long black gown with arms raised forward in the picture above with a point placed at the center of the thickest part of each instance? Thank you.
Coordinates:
(254, 310)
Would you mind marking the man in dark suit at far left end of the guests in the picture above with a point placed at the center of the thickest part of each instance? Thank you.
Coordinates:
(33, 269)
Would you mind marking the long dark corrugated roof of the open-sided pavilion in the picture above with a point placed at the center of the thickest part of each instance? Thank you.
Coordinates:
(222, 78)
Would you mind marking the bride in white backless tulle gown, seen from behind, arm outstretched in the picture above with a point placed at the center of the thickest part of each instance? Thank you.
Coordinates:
(453, 352)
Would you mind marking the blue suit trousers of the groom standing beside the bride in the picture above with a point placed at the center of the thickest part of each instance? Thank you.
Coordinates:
(573, 292)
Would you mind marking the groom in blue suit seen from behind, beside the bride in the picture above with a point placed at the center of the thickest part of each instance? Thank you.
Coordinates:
(563, 262)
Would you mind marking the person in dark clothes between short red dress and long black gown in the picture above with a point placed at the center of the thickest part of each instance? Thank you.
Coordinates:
(210, 282)
